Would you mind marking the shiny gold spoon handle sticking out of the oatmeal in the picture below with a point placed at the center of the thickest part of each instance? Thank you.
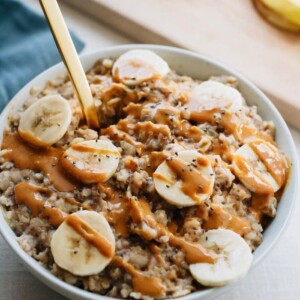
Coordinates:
(71, 60)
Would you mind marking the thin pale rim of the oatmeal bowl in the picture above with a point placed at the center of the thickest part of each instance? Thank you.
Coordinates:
(69, 290)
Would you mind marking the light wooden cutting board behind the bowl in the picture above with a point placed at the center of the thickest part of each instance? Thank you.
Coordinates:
(230, 31)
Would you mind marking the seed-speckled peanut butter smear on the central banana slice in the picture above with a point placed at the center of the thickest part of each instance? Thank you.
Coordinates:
(193, 182)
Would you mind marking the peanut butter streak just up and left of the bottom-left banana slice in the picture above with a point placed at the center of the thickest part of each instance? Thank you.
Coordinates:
(26, 193)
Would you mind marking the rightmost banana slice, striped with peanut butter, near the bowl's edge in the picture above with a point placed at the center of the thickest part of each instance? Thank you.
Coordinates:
(260, 167)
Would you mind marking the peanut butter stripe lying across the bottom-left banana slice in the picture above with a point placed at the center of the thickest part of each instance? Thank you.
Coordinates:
(91, 235)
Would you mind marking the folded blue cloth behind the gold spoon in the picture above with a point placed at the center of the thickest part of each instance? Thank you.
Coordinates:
(26, 47)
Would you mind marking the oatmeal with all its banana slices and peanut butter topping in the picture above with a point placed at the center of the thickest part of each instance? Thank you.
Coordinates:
(181, 175)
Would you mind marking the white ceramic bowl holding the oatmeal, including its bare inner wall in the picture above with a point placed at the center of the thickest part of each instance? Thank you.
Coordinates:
(196, 66)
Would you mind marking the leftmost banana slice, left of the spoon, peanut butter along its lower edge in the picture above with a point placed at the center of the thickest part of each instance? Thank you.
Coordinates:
(46, 121)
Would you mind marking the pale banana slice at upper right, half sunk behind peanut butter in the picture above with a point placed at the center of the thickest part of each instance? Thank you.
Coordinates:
(212, 94)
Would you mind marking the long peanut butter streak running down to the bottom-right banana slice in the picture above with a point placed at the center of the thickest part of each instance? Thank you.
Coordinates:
(194, 253)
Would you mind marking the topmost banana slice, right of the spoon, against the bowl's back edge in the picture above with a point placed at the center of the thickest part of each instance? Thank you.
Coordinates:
(136, 66)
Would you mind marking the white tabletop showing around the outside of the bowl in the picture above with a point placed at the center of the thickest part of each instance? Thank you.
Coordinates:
(276, 278)
